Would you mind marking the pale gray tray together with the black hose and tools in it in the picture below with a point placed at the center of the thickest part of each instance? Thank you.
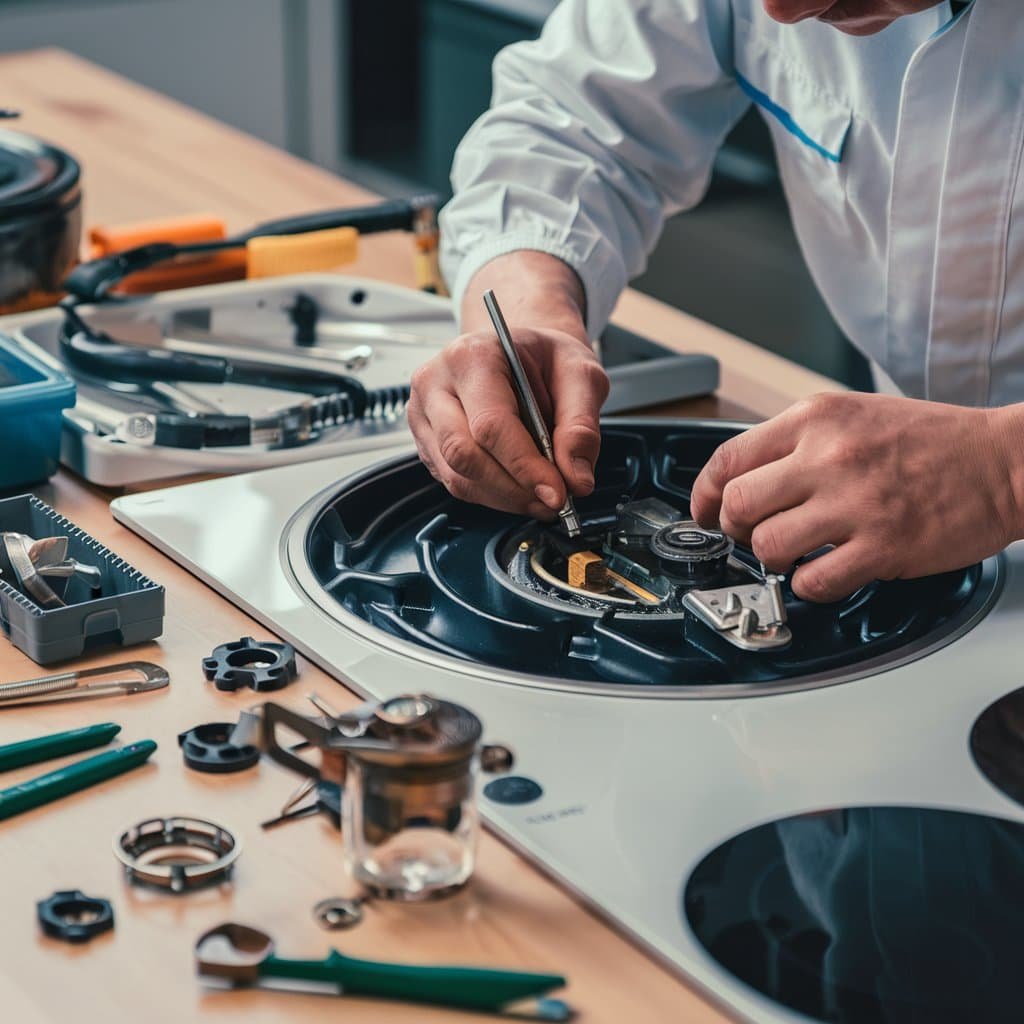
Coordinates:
(252, 374)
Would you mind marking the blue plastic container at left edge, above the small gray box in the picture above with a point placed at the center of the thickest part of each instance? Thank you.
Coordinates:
(32, 396)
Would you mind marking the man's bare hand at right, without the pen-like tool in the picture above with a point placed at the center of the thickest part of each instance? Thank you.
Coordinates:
(898, 488)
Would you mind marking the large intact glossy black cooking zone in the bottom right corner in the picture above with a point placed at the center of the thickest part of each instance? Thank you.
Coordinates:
(871, 915)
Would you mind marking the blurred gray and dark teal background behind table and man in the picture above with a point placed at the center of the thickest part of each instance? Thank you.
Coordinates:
(382, 91)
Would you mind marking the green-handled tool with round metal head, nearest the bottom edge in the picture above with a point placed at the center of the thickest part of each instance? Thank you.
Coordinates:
(244, 955)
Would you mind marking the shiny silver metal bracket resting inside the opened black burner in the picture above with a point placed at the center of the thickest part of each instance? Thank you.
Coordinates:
(750, 617)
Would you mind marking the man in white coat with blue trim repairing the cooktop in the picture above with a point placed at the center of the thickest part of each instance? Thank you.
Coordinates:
(900, 130)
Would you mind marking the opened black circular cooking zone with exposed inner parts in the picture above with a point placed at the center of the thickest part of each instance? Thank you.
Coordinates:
(394, 549)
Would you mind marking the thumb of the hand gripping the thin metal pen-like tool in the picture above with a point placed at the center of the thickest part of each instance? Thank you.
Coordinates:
(579, 388)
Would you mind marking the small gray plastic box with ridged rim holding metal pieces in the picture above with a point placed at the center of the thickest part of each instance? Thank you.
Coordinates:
(131, 610)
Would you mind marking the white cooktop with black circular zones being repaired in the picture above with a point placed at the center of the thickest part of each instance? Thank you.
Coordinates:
(673, 711)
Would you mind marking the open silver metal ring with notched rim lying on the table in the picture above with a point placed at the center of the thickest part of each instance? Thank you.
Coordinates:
(178, 854)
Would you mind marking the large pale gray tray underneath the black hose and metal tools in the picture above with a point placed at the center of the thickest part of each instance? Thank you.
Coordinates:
(405, 328)
